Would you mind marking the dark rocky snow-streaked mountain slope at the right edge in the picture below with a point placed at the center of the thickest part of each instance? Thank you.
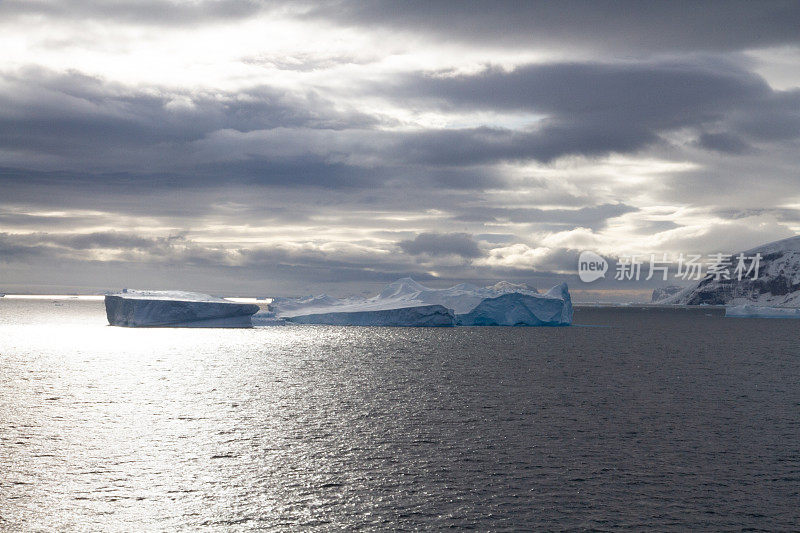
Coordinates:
(777, 284)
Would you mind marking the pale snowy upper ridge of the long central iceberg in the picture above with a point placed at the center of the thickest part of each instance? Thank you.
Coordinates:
(404, 292)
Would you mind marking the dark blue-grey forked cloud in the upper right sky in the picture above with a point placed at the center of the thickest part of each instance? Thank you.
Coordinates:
(597, 108)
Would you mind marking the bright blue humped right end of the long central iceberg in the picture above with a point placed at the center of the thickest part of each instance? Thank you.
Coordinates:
(514, 309)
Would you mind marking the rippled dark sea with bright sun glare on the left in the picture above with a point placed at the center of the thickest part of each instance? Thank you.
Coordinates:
(666, 419)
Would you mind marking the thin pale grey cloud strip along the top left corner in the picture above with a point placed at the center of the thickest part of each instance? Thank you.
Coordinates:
(157, 12)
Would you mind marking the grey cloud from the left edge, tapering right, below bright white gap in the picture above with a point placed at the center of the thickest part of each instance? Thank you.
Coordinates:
(75, 113)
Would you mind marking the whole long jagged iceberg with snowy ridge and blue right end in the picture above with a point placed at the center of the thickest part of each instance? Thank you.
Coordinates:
(406, 302)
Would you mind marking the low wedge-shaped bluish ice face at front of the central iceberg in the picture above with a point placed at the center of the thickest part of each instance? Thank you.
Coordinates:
(422, 316)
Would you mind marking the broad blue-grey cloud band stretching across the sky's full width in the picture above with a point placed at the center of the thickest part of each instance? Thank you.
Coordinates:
(302, 140)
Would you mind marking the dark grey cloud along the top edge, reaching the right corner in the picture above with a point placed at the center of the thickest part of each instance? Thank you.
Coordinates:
(631, 26)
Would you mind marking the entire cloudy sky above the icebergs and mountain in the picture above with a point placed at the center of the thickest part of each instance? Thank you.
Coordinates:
(247, 147)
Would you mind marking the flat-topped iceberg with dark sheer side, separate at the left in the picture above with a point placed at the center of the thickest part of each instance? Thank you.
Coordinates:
(176, 309)
